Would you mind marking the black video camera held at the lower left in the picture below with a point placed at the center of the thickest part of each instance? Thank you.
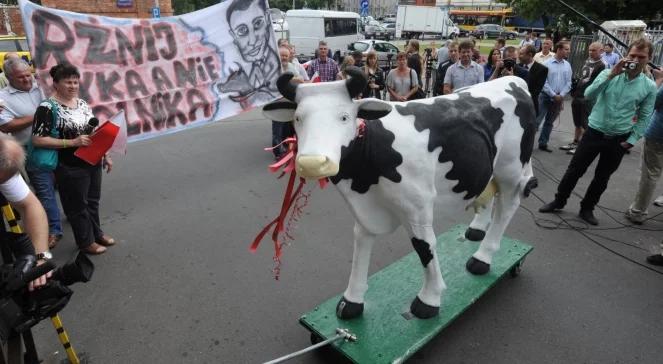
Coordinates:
(21, 309)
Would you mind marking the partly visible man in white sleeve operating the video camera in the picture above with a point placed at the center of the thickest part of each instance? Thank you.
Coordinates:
(16, 191)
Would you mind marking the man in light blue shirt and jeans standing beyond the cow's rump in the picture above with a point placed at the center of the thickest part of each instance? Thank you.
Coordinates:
(558, 84)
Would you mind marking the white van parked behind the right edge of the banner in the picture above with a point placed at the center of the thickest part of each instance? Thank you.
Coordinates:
(308, 27)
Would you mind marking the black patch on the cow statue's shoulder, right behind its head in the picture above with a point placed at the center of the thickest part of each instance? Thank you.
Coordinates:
(370, 157)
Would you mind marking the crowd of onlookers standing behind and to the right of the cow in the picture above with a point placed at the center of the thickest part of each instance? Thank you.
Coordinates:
(614, 102)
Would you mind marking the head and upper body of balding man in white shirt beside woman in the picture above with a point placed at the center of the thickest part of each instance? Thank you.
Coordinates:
(21, 99)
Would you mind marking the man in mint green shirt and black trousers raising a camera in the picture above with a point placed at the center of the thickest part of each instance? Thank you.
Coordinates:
(620, 94)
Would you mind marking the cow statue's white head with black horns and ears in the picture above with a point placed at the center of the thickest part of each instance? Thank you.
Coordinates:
(325, 118)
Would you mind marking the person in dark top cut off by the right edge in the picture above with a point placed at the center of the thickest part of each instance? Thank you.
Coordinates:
(652, 159)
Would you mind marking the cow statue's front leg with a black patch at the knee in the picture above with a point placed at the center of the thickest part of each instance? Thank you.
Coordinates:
(427, 302)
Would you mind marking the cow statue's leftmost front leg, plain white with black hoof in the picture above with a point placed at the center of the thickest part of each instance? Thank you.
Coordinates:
(351, 304)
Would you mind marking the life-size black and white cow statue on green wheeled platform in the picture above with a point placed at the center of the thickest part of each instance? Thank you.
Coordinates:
(472, 145)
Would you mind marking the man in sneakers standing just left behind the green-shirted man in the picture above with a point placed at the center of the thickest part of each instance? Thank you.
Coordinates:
(580, 107)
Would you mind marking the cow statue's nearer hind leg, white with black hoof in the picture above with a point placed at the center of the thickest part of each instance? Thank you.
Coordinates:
(506, 204)
